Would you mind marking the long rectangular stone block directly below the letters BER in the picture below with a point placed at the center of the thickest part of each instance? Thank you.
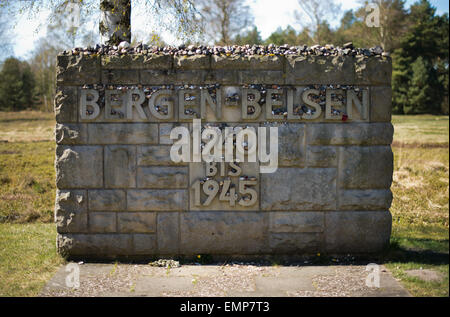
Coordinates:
(123, 133)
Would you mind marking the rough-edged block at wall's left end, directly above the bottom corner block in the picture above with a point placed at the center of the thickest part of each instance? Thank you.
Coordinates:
(71, 211)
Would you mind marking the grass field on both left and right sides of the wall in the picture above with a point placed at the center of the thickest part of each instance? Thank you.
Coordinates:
(420, 236)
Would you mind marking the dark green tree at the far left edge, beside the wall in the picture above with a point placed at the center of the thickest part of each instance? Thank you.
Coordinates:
(17, 85)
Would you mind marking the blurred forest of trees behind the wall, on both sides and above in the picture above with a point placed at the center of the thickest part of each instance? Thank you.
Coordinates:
(416, 38)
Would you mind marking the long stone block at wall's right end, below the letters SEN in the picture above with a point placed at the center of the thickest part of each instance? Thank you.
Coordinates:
(353, 134)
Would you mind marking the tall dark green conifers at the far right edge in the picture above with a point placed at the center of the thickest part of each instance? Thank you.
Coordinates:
(420, 65)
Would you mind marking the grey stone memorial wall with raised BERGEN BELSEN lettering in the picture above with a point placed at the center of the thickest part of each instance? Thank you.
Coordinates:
(119, 193)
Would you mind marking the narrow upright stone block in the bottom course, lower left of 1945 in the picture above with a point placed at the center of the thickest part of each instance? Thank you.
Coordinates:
(168, 232)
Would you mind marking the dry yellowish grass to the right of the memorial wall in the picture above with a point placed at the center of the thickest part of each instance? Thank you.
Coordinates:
(420, 208)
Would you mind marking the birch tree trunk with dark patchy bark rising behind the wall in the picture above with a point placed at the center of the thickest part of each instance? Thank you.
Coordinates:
(115, 24)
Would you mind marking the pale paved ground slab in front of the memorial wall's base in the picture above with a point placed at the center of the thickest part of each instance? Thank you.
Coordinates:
(229, 280)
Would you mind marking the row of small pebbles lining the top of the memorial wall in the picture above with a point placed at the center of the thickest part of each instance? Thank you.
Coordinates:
(241, 50)
